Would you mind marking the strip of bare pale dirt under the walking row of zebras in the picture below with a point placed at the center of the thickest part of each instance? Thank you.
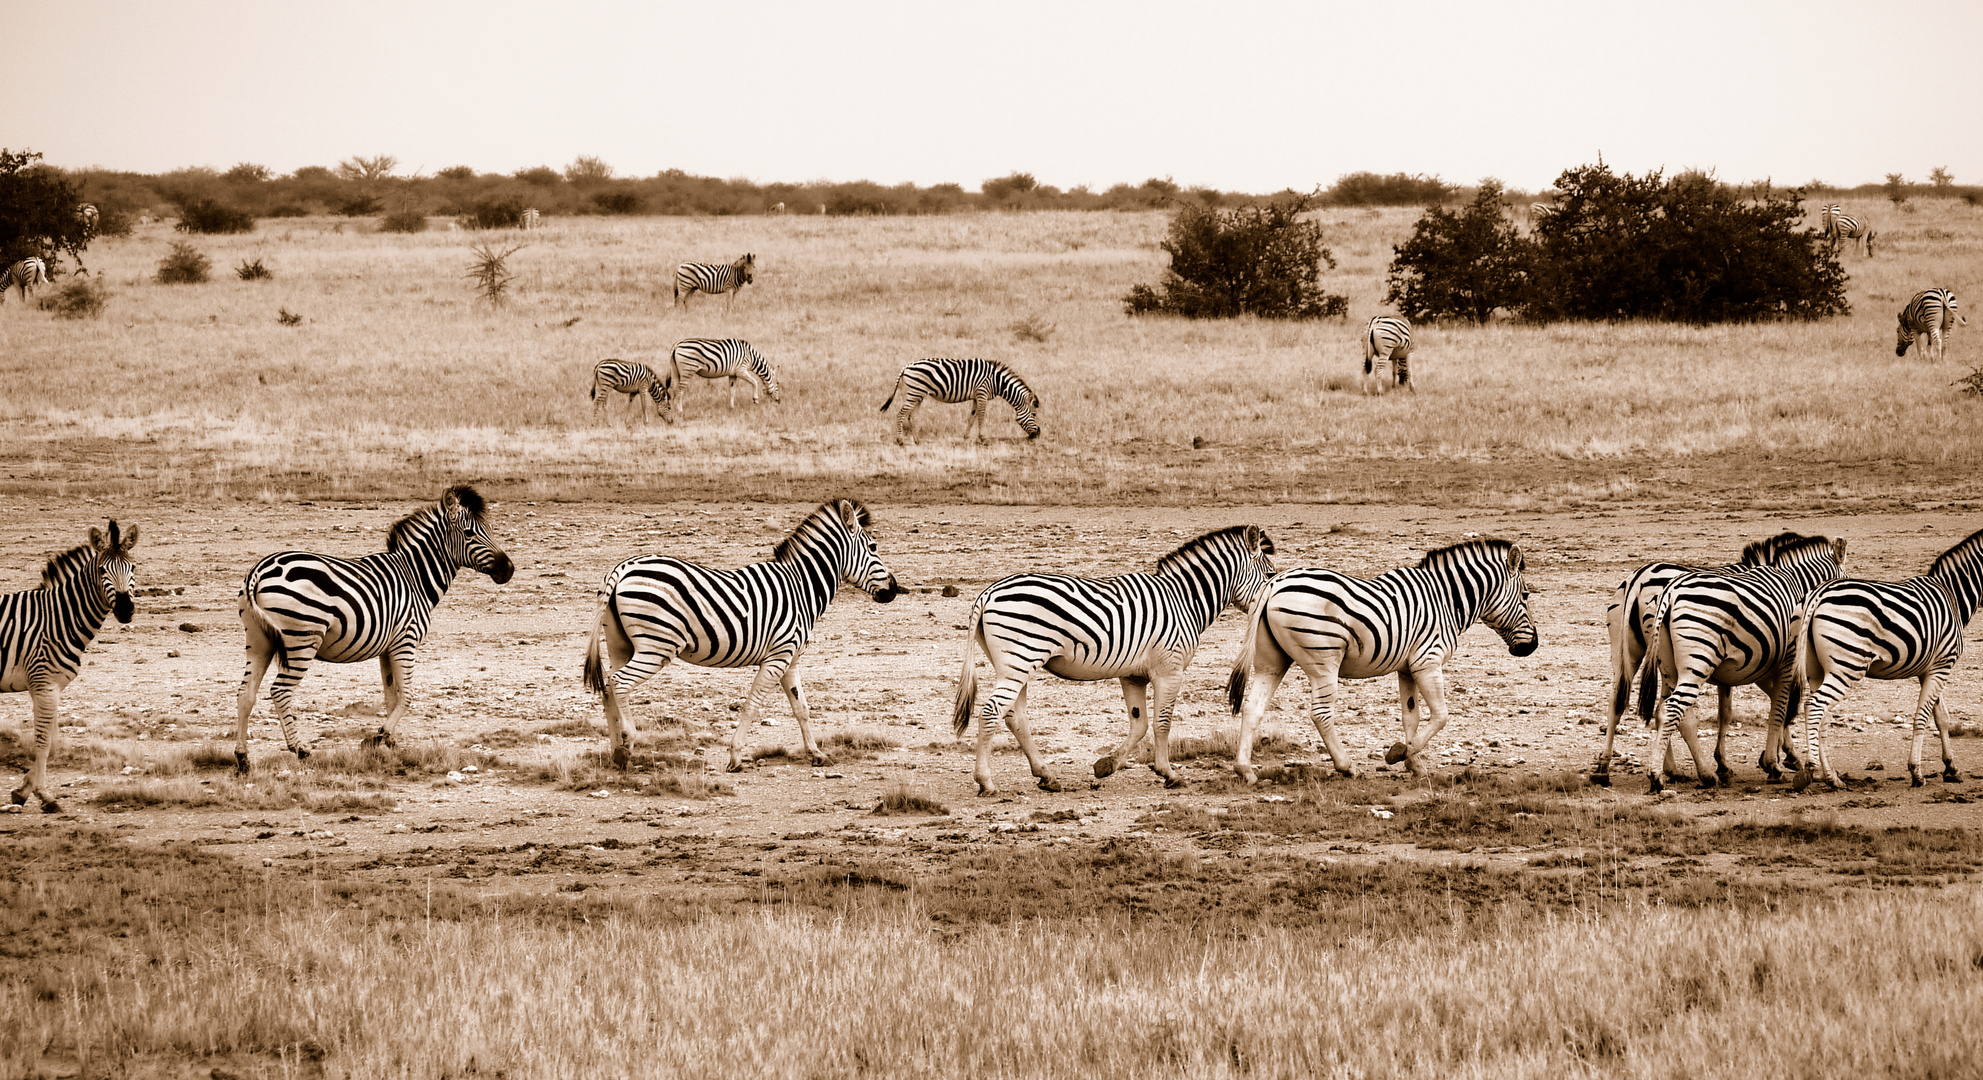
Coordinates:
(503, 665)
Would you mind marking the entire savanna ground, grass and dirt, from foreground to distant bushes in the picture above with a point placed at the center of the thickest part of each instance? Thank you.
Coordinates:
(491, 899)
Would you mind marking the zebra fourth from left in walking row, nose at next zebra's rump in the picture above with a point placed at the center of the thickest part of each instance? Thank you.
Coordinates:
(1141, 629)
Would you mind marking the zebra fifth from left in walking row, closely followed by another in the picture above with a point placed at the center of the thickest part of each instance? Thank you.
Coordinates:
(1405, 621)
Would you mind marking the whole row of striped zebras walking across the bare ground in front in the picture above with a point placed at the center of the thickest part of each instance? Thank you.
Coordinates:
(1778, 617)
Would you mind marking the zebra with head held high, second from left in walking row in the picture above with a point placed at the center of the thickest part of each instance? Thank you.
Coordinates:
(300, 607)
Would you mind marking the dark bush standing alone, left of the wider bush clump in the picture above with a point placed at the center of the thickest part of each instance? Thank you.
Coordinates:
(1256, 261)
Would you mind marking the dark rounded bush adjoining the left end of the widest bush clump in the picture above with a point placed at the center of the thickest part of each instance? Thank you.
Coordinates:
(1464, 265)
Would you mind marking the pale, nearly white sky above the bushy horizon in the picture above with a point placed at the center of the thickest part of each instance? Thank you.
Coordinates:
(1230, 96)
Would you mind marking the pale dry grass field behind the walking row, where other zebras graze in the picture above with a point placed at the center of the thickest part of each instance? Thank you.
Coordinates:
(398, 354)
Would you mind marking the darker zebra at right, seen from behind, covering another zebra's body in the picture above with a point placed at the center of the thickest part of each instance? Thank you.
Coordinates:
(1734, 629)
